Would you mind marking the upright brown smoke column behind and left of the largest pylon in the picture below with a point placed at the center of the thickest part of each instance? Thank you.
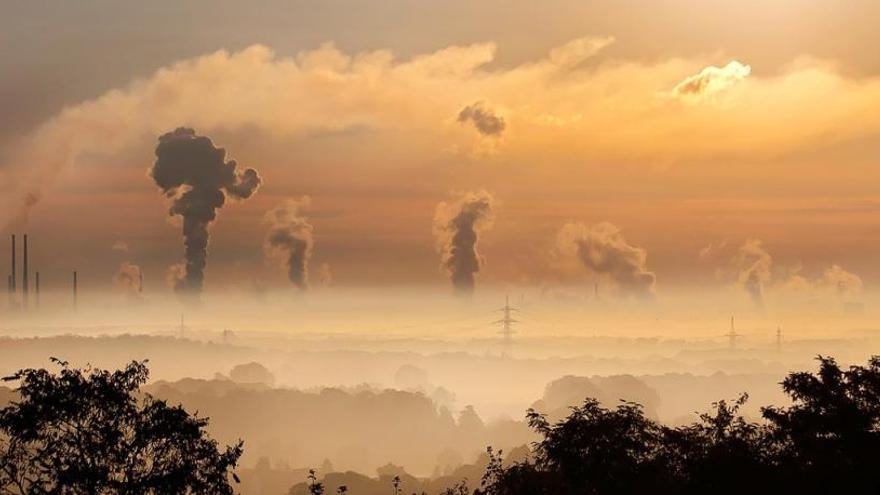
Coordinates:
(457, 228)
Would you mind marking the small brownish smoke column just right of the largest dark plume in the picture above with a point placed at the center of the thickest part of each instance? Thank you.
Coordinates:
(290, 239)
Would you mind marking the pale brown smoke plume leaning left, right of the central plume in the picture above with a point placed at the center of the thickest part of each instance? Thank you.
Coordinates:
(603, 250)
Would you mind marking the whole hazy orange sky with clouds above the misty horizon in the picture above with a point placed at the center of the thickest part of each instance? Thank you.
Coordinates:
(643, 145)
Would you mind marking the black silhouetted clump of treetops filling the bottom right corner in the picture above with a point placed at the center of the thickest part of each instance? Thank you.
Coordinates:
(827, 441)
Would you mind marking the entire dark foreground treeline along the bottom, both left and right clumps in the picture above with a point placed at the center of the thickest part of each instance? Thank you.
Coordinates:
(94, 431)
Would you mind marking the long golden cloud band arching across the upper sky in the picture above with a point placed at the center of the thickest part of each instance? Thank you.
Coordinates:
(566, 111)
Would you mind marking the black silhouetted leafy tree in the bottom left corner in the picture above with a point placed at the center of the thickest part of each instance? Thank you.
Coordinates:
(89, 431)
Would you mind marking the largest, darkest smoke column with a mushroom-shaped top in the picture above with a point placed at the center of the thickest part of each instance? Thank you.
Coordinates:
(195, 173)
